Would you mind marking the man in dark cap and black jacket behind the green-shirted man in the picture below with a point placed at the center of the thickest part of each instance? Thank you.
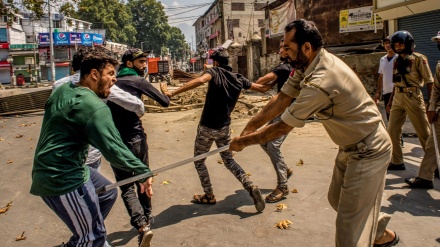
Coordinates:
(131, 79)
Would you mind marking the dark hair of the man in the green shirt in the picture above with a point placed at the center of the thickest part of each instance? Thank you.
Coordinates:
(96, 60)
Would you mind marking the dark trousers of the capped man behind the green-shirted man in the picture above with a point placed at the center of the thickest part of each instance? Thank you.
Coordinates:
(138, 205)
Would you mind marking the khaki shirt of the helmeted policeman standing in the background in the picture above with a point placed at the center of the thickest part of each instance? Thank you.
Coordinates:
(419, 74)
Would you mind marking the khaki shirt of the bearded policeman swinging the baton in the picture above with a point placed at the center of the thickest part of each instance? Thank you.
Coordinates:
(331, 91)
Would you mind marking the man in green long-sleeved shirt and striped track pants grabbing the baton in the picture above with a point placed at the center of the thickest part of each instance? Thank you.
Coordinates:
(75, 117)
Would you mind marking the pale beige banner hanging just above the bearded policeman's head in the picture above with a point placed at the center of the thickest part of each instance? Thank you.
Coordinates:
(280, 16)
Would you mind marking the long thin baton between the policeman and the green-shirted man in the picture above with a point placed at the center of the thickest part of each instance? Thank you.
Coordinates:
(108, 187)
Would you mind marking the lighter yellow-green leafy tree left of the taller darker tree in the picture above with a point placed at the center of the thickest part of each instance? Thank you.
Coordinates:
(111, 15)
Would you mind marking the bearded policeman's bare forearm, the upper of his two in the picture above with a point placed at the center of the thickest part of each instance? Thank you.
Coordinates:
(275, 107)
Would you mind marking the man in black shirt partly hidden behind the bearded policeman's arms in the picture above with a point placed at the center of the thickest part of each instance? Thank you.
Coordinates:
(278, 77)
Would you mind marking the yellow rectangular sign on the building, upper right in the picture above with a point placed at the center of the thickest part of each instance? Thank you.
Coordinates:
(358, 19)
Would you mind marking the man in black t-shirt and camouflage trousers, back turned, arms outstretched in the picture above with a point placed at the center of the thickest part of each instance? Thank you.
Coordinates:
(224, 87)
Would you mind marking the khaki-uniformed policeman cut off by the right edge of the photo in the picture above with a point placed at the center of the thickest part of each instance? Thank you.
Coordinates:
(429, 162)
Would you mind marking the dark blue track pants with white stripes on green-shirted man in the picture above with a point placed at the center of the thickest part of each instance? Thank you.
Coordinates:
(83, 211)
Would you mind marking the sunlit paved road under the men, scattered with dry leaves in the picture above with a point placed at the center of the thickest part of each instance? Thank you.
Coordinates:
(233, 220)
